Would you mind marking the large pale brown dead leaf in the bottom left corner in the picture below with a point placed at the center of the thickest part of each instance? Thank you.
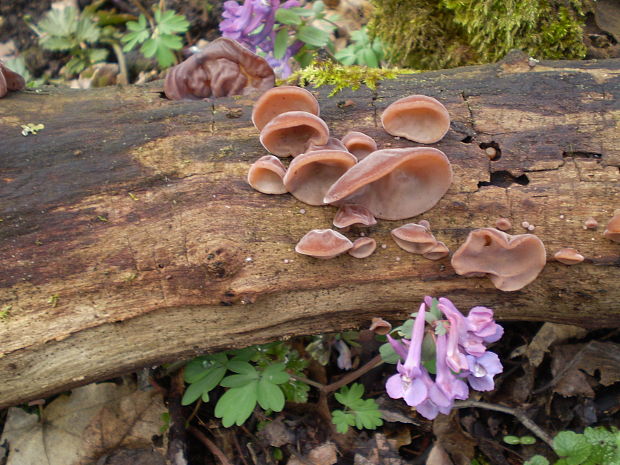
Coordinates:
(78, 428)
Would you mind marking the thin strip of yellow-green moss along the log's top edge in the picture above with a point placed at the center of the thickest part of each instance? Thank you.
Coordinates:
(320, 73)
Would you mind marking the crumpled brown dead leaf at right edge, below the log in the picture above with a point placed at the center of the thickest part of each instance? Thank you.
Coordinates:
(569, 363)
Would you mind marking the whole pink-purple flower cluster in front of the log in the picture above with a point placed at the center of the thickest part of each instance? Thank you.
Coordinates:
(461, 358)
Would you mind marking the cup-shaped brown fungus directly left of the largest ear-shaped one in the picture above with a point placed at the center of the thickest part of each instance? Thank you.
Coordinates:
(310, 175)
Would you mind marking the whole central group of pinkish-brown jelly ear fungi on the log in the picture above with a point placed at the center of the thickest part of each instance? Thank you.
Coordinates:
(367, 183)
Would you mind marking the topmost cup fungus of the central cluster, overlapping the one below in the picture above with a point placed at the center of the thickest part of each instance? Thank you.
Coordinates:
(280, 100)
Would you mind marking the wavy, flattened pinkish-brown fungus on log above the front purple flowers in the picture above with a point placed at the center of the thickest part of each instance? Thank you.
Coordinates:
(511, 262)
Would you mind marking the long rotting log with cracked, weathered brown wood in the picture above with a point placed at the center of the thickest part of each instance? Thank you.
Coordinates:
(129, 237)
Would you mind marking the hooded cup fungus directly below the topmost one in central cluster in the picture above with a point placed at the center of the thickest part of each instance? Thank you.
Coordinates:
(291, 133)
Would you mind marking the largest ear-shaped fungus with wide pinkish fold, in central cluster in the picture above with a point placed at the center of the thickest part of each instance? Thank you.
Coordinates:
(395, 184)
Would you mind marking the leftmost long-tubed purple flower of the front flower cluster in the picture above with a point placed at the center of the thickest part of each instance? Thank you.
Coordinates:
(408, 383)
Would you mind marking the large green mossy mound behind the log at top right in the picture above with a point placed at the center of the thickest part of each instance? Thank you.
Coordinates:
(432, 34)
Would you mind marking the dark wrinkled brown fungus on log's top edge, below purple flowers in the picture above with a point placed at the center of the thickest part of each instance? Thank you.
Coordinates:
(222, 68)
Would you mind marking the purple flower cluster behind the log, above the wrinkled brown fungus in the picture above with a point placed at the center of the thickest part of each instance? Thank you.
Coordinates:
(252, 25)
